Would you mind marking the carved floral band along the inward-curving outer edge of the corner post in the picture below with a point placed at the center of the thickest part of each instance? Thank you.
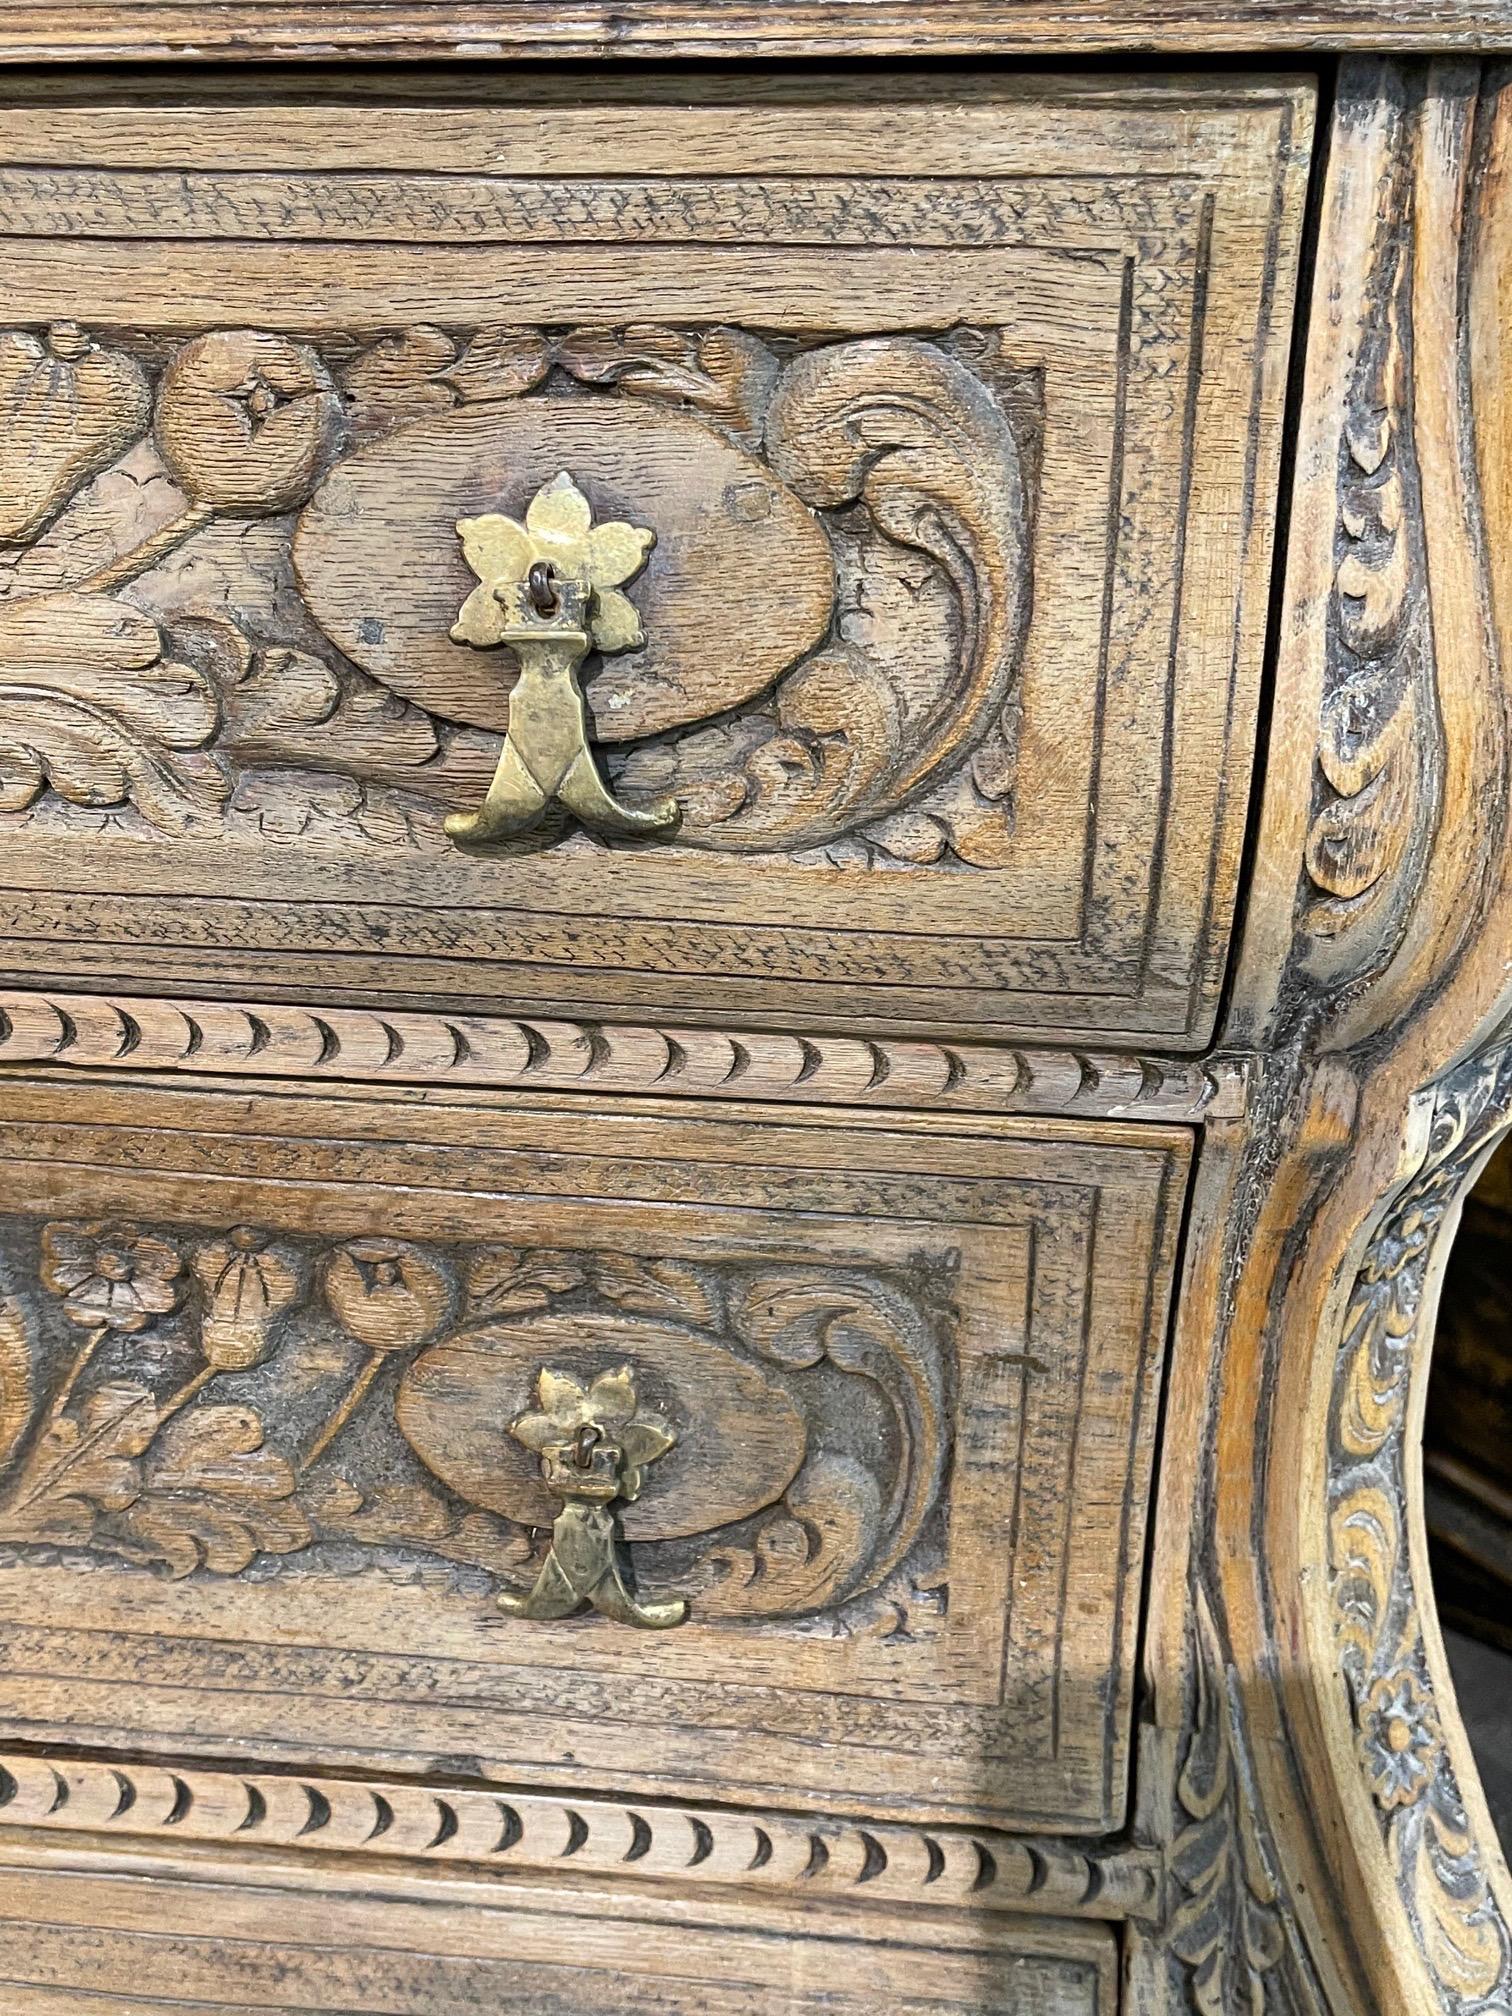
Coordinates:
(1374, 1596)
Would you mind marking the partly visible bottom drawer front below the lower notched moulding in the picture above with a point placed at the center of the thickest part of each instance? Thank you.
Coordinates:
(76, 1936)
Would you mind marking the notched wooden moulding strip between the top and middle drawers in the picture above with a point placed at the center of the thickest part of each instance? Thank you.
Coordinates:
(358, 1045)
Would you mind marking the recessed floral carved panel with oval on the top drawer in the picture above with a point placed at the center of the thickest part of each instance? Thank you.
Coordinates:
(235, 574)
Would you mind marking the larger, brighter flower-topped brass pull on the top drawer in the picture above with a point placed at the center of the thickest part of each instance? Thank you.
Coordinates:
(551, 590)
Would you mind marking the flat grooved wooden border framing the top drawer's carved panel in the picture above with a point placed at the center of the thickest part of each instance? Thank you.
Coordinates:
(1138, 932)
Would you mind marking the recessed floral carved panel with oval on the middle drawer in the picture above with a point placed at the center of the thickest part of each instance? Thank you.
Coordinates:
(203, 1402)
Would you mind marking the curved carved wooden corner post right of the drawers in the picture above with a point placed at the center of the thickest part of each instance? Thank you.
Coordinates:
(1305, 1767)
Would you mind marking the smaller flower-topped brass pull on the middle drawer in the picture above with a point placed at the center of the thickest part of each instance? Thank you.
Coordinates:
(596, 1446)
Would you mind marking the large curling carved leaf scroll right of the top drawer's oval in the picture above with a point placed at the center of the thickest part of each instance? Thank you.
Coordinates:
(850, 741)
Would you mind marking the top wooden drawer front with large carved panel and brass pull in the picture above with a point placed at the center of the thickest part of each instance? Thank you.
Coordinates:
(949, 640)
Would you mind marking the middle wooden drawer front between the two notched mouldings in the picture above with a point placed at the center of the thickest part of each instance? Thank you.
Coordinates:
(285, 1380)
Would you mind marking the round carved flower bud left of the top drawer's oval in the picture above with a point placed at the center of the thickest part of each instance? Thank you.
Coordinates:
(247, 422)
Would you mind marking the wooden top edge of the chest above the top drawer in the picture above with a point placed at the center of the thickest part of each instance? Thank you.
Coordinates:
(316, 29)
